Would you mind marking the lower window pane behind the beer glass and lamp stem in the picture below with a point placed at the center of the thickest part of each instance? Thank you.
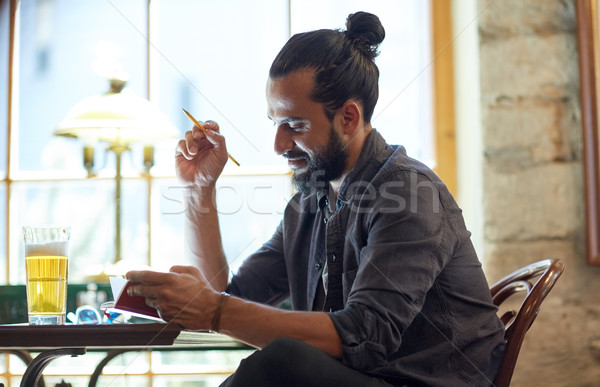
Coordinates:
(89, 208)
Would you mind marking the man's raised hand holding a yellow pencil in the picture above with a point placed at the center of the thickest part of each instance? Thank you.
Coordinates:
(200, 158)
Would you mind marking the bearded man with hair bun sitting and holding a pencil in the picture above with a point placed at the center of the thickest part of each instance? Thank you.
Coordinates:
(373, 252)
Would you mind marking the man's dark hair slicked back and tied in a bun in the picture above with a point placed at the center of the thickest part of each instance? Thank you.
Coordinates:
(343, 62)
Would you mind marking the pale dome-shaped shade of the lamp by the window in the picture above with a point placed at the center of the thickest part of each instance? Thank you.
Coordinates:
(119, 117)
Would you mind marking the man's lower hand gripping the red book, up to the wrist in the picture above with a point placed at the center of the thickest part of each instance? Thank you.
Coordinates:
(182, 296)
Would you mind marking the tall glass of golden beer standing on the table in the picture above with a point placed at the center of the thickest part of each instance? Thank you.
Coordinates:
(46, 264)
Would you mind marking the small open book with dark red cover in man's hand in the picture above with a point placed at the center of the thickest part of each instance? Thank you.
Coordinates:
(134, 305)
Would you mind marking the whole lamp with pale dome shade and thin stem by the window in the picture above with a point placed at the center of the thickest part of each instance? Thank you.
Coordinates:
(119, 118)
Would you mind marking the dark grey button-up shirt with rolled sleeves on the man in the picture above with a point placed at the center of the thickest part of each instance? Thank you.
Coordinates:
(405, 289)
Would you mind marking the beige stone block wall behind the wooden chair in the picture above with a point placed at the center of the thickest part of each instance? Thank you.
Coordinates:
(533, 179)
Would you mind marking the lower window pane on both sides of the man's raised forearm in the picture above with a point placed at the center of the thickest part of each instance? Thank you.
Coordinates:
(250, 209)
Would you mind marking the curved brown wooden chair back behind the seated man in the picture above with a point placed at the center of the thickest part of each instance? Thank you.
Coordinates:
(517, 322)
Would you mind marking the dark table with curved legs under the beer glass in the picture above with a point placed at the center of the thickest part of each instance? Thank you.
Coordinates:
(59, 340)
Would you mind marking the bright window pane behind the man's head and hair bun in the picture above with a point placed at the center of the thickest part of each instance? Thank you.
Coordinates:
(404, 111)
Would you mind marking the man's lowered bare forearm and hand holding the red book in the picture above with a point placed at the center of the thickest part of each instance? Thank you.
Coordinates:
(184, 297)
